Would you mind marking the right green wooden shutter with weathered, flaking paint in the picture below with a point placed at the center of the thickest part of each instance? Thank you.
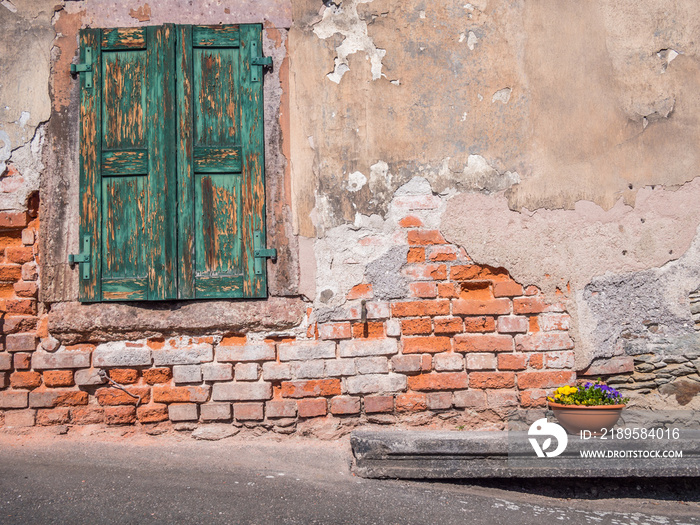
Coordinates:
(220, 162)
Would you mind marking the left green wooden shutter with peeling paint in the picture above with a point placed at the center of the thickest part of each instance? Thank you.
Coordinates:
(127, 169)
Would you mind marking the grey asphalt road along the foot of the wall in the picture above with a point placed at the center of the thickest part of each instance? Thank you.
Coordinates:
(170, 479)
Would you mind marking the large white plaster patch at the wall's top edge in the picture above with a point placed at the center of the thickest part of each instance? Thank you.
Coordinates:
(344, 20)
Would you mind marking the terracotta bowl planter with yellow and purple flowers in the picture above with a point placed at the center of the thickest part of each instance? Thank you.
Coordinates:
(592, 407)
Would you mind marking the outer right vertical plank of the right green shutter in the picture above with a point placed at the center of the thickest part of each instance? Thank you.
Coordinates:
(253, 153)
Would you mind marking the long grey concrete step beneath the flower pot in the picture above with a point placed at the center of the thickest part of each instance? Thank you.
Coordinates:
(469, 454)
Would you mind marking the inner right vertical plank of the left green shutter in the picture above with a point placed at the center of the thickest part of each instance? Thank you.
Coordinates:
(162, 159)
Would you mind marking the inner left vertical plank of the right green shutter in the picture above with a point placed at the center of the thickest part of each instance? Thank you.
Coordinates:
(185, 191)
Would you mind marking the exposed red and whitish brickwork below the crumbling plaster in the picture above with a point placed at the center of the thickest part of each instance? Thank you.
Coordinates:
(468, 340)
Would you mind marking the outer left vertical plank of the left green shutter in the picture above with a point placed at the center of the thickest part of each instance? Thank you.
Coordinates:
(90, 148)
